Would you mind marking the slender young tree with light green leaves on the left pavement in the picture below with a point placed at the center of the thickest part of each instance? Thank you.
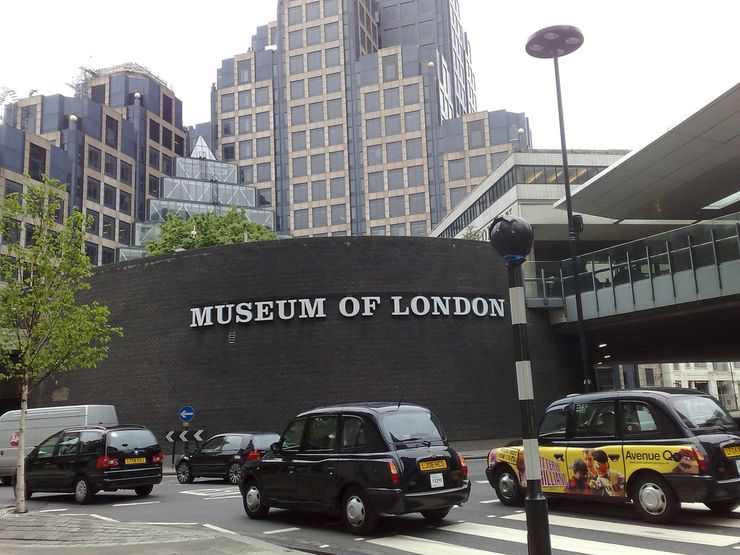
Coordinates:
(44, 330)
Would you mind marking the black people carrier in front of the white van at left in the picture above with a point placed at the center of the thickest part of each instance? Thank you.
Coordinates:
(86, 460)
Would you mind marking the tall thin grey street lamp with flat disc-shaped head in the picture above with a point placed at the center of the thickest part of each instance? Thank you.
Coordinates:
(555, 42)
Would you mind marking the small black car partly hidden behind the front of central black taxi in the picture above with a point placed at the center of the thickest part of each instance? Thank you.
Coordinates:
(223, 455)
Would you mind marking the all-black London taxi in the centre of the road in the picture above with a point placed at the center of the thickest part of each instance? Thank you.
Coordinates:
(360, 460)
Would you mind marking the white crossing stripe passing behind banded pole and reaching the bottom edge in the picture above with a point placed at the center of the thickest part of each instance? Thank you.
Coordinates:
(572, 545)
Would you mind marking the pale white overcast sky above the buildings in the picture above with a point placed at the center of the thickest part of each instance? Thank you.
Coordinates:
(644, 66)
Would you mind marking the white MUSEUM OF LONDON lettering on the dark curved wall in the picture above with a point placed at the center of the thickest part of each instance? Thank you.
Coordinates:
(361, 306)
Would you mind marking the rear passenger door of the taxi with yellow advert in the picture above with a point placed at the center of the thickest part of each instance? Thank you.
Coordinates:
(594, 456)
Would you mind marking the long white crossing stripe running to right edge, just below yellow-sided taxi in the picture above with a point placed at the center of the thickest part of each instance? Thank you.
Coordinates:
(640, 531)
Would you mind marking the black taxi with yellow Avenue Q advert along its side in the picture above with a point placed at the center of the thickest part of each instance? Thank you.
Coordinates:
(653, 447)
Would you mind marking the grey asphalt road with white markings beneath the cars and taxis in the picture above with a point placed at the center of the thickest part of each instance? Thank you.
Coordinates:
(482, 526)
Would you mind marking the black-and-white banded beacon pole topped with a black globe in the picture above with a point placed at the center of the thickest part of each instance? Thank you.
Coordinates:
(512, 238)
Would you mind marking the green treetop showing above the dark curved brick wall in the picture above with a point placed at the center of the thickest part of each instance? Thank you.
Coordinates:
(206, 230)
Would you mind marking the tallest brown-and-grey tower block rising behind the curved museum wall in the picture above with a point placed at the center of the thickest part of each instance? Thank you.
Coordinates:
(356, 117)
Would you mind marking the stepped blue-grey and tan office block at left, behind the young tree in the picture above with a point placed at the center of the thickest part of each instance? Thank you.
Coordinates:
(112, 143)
